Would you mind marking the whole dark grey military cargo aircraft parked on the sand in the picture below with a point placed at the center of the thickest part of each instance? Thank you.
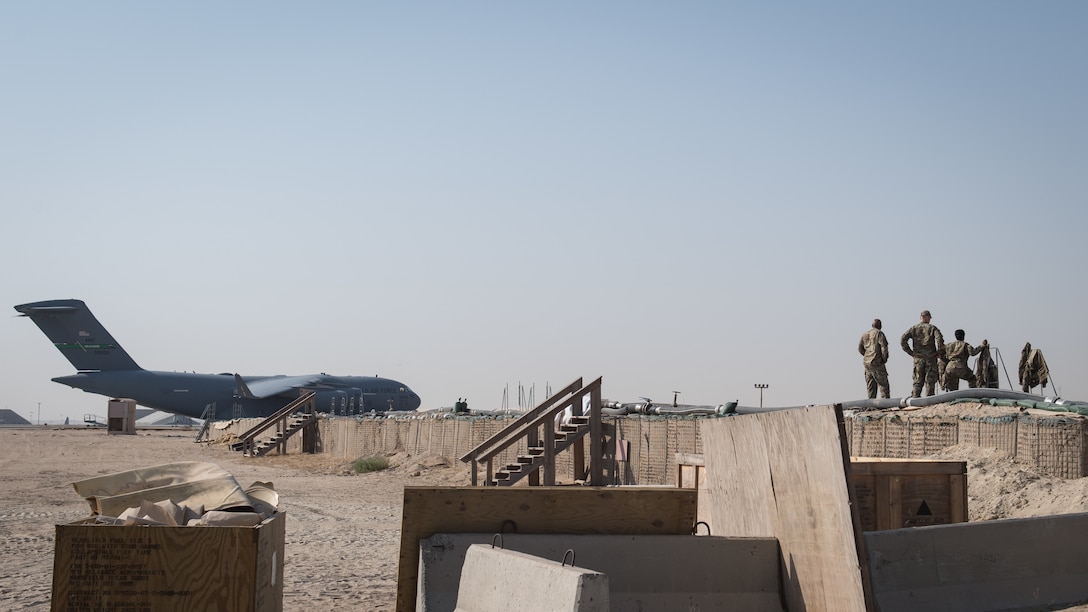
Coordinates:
(105, 369)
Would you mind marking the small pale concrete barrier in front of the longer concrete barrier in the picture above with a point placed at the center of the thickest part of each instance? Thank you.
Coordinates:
(499, 581)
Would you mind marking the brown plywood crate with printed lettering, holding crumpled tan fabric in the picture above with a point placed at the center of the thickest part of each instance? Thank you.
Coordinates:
(153, 568)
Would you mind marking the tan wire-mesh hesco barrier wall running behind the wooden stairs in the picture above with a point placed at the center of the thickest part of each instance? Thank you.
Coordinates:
(641, 450)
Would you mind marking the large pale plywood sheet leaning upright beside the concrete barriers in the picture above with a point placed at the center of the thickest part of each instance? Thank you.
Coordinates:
(784, 474)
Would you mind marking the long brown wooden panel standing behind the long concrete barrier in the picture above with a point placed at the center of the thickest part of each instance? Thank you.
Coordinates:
(535, 510)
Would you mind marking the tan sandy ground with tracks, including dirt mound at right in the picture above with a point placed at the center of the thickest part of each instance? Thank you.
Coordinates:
(343, 530)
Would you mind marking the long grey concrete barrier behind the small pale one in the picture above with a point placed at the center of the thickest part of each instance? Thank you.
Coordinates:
(647, 573)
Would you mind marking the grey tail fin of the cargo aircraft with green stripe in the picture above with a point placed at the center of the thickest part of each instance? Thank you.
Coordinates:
(79, 336)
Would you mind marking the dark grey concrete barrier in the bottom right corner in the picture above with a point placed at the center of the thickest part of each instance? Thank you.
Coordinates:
(1011, 565)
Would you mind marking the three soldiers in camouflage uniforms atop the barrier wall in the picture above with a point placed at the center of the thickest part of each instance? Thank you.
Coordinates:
(934, 360)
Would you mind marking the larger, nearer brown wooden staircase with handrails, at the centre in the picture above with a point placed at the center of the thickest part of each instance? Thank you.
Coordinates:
(546, 439)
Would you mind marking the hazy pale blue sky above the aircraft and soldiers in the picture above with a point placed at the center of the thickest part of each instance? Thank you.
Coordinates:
(693, 197)
